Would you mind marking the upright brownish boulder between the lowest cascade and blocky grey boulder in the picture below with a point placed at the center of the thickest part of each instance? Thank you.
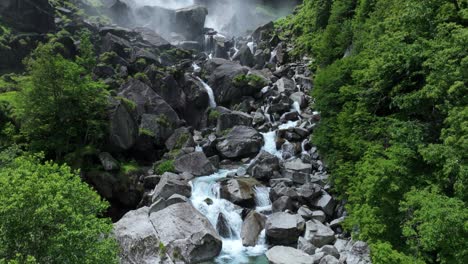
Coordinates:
(252, 226)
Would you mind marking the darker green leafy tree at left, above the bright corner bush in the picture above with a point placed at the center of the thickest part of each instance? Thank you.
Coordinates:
(60, 107)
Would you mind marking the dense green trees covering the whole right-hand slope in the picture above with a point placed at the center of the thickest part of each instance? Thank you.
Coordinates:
(391, 86)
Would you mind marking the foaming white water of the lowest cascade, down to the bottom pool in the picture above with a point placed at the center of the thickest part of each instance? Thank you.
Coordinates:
(233, 251)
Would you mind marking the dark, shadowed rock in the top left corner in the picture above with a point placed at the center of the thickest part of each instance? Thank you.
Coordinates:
(28, 15)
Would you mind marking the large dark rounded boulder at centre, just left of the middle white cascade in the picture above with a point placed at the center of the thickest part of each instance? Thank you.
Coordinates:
(241, 142)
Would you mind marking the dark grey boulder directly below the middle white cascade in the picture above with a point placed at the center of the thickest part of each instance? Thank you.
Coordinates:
(263, 166)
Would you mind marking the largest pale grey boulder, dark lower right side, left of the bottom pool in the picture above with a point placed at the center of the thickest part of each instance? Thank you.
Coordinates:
(186, 232)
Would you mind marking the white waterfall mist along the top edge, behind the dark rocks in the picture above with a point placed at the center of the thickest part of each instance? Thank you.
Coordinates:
(228, 17)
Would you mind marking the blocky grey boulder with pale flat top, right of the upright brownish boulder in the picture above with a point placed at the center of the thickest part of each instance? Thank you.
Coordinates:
(284, 228)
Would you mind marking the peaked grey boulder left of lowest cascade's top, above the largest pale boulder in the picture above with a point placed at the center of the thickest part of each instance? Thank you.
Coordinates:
(171, 184)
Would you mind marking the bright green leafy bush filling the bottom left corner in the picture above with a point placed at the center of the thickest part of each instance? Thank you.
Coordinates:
(48, 215)
